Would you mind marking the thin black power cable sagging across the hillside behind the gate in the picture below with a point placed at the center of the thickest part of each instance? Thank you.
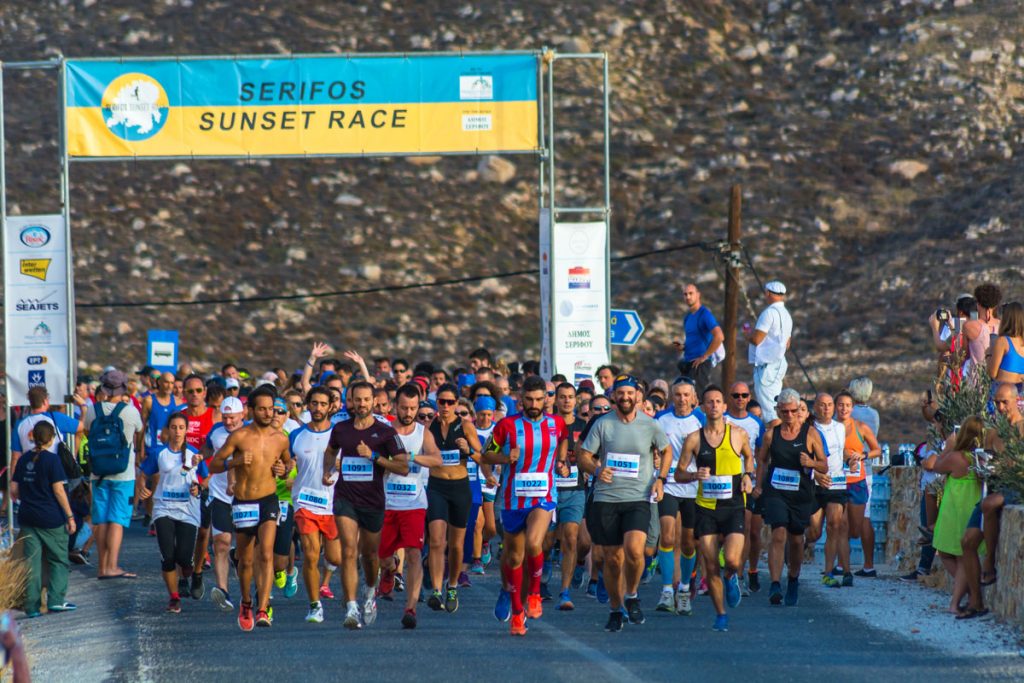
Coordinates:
(374, 290)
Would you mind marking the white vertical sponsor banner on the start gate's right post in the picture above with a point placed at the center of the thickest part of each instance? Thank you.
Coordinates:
(579, 300)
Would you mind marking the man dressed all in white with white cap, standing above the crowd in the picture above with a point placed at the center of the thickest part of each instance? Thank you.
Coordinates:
(770, 340)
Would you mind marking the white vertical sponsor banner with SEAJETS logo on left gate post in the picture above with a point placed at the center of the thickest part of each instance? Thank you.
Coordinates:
(36, 333)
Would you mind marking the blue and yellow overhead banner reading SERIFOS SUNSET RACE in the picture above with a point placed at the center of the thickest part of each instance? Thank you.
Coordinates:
(303, 106)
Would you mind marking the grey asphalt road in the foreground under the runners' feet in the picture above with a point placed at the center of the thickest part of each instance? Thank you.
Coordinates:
(122, 633)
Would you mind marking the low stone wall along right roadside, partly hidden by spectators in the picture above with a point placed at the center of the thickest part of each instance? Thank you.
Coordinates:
(1006, 599)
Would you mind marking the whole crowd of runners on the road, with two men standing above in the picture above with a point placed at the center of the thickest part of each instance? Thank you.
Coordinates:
(407, 481)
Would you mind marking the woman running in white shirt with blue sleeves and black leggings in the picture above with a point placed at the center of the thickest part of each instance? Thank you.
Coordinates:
(179, 469)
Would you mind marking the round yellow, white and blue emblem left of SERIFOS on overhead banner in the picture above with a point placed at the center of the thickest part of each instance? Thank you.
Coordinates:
(135, 107)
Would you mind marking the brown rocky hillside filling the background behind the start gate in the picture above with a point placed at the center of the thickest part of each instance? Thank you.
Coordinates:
(876, 144)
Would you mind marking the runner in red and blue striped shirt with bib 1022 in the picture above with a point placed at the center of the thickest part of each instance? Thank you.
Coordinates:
(531, 445)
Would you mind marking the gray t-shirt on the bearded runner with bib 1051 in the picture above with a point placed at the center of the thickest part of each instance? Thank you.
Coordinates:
(627, 449)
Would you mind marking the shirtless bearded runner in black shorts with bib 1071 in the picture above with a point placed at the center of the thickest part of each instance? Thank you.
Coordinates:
(258, 450)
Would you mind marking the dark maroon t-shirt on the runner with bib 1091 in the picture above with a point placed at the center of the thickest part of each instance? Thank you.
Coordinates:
(362, 481)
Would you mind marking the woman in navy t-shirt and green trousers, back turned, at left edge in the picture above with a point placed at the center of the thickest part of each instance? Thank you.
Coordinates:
(46, 519)
